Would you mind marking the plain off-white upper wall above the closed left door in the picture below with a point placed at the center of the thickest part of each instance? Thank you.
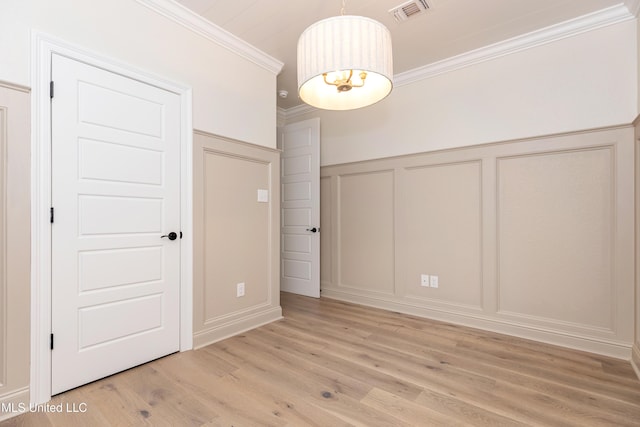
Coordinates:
(229, 91)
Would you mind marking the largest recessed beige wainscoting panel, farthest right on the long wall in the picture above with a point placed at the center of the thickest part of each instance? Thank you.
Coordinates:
(555, 236)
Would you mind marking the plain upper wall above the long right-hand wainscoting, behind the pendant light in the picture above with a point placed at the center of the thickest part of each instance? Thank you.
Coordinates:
(581, 82)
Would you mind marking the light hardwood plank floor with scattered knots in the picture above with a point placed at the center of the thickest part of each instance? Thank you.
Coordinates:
(330, 363)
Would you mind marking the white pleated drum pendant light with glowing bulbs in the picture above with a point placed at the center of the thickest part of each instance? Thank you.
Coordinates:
(344, 62)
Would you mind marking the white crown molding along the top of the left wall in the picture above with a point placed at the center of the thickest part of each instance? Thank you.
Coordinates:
(199, 25)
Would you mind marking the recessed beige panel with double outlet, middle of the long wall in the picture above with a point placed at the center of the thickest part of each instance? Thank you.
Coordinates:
(441, 216)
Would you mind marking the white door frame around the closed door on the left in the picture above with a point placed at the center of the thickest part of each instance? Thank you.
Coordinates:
(42, 47)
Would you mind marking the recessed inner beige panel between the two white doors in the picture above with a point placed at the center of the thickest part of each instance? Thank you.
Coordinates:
(236, 239)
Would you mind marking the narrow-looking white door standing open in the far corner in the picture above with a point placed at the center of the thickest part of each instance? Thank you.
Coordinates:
(300, 180)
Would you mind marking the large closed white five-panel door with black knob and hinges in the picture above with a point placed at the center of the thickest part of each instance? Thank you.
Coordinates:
(115, 192)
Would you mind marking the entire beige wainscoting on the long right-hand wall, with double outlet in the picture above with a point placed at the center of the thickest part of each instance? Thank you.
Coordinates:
(531, 237)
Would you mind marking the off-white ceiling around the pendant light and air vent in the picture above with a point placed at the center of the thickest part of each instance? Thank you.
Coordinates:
(448, 28)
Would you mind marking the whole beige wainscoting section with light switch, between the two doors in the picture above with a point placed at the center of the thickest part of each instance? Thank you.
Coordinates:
(236, 238)
